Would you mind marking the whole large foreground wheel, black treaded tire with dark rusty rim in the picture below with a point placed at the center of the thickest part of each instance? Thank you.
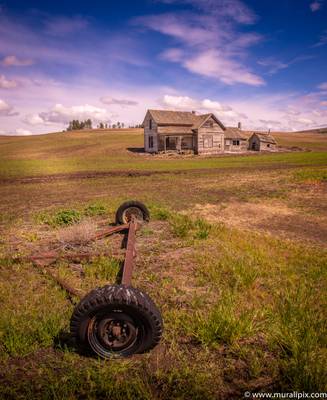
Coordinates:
(116, 320)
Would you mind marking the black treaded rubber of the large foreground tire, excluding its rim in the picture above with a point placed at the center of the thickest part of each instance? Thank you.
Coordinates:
(134, 301)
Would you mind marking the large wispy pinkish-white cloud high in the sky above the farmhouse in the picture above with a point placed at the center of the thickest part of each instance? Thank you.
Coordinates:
(209, 42)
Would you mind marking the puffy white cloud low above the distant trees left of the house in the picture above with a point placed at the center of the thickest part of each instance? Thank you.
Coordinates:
(61, 114)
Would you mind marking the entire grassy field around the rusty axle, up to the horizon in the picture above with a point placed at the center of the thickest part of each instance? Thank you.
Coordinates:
(234, 255)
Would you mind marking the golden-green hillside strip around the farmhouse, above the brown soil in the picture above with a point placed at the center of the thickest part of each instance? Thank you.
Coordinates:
(112, 150)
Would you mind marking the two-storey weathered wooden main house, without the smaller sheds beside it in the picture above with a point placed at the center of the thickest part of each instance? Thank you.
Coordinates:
(182, 131)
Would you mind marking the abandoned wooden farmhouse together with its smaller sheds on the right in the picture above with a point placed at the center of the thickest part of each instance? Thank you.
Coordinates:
(202, 134)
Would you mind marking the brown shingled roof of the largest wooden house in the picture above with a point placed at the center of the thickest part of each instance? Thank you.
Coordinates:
(182, 118)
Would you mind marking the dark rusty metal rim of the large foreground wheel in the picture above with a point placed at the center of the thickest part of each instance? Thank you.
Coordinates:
(112, 333)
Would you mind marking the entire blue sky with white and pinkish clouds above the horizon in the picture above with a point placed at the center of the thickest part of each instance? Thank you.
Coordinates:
(260, 62)
